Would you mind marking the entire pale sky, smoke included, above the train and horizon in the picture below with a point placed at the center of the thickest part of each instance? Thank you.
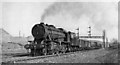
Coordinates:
(22, 16)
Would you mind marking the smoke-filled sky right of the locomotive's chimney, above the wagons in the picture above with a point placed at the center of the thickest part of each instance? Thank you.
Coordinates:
(100, 15)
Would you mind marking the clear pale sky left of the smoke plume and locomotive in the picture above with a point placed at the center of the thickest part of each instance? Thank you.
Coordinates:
(21, 16)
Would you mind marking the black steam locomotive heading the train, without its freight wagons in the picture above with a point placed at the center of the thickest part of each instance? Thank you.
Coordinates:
(51, 40)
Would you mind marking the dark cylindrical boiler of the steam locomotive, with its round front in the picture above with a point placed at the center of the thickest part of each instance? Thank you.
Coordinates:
(42, 31)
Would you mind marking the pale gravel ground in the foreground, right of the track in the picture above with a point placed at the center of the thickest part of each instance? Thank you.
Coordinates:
(78, 57)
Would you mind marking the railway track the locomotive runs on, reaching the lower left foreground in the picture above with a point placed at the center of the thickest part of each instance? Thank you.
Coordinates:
(26, 57)
